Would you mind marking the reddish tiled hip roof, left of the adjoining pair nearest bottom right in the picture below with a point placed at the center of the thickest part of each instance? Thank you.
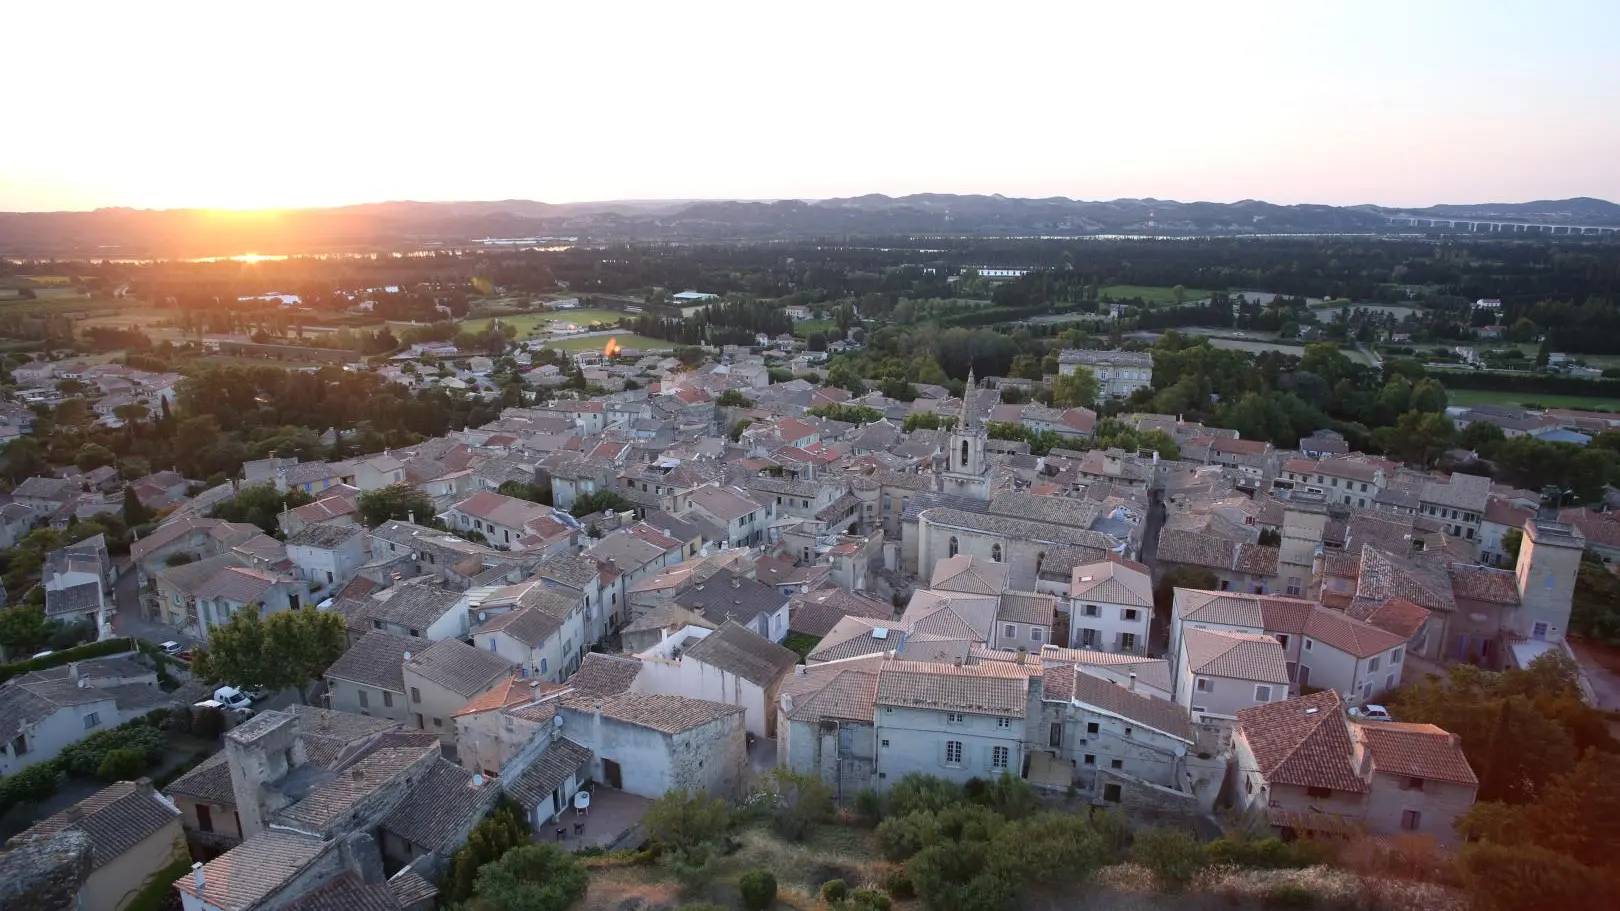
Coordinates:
(1302, 742)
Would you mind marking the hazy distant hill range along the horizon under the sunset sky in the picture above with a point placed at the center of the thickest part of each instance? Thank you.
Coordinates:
(396, 226)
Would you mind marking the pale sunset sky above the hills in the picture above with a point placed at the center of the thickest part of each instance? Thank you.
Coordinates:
(291, 105)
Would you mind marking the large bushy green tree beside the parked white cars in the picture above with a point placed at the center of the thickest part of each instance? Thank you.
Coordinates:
(286, 651)
